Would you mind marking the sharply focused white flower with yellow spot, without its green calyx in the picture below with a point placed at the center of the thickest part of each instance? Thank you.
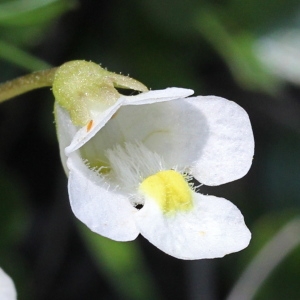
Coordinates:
(129, 168)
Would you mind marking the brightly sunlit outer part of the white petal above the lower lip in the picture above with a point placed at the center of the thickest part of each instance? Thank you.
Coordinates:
(228, 151)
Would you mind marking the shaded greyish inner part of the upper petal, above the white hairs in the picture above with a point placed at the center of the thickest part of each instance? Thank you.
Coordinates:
(174, 130)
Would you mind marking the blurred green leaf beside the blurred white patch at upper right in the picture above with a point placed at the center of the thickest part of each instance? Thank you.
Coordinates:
(237, 52)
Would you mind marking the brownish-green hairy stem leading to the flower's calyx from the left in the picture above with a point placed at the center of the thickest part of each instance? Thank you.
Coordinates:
(26, 83)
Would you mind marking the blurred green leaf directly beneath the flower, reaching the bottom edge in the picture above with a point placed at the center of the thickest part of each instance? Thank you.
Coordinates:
(123, 264)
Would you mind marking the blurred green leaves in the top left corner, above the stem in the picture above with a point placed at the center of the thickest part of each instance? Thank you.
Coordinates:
(24, 24)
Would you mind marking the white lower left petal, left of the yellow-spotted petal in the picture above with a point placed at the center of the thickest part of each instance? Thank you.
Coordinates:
(104, 211)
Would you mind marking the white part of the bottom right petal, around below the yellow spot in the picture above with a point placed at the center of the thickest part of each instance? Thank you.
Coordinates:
(213, 228)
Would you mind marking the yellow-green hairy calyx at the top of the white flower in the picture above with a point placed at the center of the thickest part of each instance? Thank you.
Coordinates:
(85, 89)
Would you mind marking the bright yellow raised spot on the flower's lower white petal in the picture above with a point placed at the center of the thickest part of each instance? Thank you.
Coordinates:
(170, 190)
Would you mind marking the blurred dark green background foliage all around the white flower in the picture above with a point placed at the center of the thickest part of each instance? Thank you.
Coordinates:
(208, 46)
